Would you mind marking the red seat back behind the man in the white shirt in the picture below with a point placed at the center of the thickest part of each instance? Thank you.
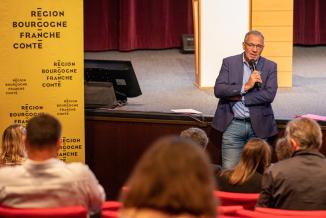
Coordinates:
(63, 212)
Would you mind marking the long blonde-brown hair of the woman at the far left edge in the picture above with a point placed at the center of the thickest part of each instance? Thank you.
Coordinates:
(12, 149)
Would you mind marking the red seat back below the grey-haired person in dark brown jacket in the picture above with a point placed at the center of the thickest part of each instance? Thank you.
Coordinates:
(293, 213)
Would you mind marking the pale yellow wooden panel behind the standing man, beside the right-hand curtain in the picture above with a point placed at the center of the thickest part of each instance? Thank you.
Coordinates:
(275, 20)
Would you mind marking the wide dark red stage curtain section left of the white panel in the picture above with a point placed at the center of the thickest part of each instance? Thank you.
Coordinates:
(136, 24)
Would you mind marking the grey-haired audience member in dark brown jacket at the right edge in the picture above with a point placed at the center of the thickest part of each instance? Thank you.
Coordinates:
(297, 183)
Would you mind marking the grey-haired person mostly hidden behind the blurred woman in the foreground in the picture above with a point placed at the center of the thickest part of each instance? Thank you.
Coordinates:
(199, 136)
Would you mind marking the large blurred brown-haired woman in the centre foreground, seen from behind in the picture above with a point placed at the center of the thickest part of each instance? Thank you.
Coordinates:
(172, 179)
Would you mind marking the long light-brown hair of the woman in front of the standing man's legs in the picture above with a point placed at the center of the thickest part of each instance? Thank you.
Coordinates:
(255, 157)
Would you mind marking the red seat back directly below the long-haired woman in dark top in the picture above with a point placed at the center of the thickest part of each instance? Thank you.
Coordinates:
(247, 200)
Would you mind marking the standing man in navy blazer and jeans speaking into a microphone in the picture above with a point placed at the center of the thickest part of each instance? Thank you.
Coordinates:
(246, 87)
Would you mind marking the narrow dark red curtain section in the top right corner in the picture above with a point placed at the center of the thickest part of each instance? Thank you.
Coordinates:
(309, 22)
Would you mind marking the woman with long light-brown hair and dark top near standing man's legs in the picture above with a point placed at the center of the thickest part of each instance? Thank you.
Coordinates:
(247, 175)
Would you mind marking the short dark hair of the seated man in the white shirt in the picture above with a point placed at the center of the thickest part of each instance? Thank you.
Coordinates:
(43, 130)
